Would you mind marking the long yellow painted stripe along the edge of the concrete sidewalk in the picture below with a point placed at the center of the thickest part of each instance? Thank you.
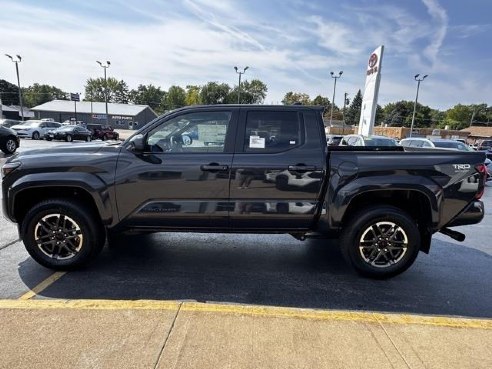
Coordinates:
(246, 310)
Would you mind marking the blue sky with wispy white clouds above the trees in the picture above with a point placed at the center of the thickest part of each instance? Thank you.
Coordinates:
(291, 45)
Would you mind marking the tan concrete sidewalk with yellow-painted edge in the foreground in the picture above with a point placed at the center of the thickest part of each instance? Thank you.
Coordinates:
(160, 334)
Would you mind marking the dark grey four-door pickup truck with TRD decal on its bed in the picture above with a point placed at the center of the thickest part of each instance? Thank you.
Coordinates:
(241, 169)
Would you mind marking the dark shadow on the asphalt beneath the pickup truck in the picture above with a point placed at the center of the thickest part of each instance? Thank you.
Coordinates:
(278, 271)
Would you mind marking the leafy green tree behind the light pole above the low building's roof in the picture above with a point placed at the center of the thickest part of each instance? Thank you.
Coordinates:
(117, 90)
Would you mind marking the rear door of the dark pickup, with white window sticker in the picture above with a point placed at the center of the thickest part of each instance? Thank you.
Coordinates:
(277, 170)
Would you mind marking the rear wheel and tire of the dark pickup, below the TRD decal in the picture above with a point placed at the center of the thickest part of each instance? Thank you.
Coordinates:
(380, 242)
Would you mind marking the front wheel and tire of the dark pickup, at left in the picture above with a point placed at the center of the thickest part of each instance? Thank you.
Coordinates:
(61, 234)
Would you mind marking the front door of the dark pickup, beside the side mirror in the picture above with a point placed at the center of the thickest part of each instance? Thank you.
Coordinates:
(182, 177)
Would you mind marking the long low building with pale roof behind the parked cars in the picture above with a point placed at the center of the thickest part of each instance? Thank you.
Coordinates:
(123, 116)
